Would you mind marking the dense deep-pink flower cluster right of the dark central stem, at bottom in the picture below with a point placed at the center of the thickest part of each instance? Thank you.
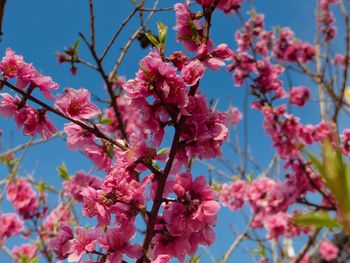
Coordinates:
(187, 221)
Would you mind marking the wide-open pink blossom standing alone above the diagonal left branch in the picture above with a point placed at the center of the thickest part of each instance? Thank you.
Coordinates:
(76, 104)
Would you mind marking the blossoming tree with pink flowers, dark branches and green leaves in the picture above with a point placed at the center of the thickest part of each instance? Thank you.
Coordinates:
(147, 202)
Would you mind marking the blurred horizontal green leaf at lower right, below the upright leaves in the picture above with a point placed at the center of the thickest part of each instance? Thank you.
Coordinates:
(317, 219)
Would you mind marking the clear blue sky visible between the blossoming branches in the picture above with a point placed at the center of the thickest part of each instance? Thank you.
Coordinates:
(36, 29)
